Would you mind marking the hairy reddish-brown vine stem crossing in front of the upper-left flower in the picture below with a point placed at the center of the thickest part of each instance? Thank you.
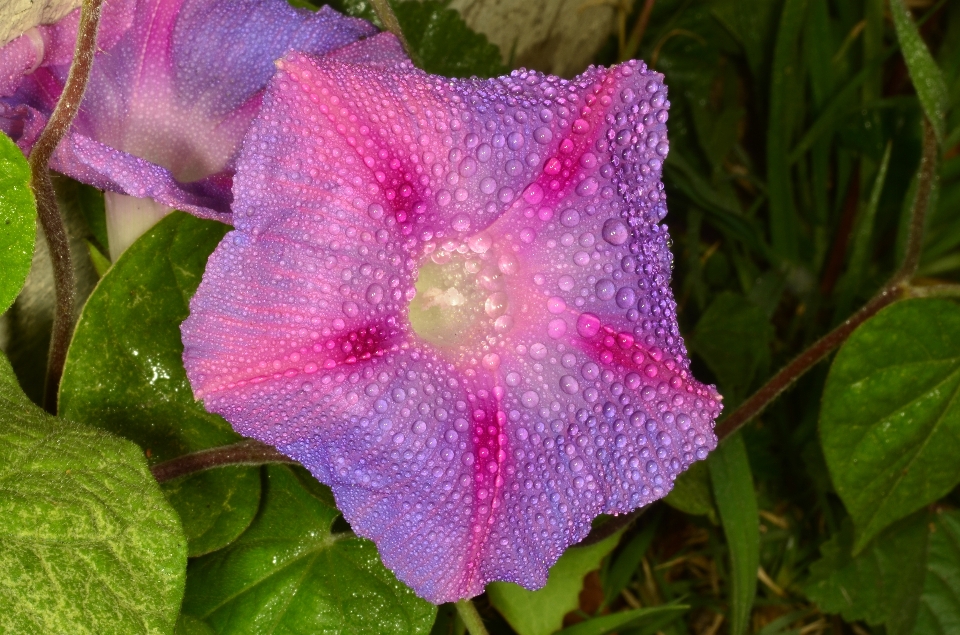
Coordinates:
(47, 209)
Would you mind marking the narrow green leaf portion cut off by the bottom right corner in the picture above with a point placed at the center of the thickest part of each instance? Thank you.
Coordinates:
(939, 612)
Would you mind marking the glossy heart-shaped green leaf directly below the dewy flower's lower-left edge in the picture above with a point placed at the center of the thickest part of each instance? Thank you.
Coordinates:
(289, 573)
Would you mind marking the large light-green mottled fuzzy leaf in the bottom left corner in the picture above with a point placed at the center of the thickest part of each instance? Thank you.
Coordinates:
(87, 542)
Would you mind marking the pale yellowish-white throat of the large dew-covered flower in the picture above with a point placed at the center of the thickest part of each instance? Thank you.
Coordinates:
(461, 297)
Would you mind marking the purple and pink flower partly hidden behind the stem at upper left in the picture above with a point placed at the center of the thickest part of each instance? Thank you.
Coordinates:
(174, 86)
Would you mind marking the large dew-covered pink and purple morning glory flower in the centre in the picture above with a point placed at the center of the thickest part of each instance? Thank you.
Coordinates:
(449, 299)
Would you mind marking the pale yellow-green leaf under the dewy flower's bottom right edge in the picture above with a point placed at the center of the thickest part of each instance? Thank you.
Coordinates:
(541, 612)
